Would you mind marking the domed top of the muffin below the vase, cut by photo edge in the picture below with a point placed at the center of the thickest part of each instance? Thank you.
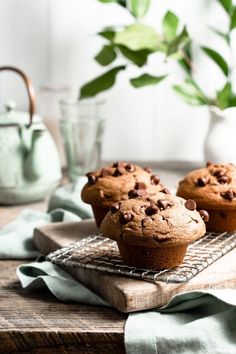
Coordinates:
(212, 187)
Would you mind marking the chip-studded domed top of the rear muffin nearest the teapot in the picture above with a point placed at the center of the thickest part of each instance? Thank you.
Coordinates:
(113, 183)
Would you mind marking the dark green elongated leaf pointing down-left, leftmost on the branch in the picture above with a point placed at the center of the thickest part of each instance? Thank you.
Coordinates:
(101, 83)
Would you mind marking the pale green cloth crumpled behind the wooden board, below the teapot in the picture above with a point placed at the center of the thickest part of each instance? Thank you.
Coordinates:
(64, 205)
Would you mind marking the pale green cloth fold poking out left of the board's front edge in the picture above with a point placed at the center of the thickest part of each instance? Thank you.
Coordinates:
(44, 274)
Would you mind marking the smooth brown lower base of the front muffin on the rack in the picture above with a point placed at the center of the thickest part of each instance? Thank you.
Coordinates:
(152, 258)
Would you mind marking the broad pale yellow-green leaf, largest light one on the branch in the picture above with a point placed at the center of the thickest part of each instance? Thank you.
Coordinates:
(138, 37)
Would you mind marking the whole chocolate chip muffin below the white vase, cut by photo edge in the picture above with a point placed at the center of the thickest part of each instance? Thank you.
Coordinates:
(214, 189)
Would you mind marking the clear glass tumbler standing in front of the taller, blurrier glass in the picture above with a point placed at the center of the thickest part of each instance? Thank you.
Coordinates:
(82, 126)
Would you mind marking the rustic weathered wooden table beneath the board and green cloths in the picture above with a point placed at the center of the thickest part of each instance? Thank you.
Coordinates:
(36, 322)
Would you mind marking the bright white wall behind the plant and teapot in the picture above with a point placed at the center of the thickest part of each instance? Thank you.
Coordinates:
(54, 42)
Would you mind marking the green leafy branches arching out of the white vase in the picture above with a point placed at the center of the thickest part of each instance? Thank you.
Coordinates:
(135, 43)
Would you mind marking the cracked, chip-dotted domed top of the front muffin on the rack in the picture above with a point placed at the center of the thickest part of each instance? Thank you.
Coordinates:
(163, 221)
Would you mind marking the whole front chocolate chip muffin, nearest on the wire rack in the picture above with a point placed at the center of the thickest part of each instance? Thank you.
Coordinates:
(153, 233)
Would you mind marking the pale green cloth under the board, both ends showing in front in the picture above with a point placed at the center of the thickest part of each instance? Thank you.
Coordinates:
(191, 323)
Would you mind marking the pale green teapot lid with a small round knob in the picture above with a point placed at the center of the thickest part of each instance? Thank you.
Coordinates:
(13, 117)
